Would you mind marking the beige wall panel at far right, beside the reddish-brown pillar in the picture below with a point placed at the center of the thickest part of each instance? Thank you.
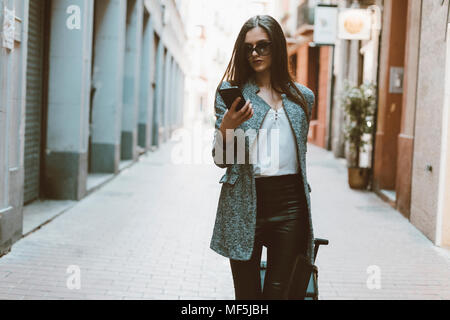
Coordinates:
(428, 124)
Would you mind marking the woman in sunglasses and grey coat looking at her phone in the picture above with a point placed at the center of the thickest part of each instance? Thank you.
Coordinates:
(258, 205)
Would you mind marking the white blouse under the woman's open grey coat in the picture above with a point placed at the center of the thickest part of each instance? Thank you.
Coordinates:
(274, 150)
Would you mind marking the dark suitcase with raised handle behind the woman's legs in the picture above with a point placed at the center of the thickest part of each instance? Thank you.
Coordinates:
(304, 284)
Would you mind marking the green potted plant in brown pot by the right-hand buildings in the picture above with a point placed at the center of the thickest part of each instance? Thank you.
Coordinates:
(359, 105)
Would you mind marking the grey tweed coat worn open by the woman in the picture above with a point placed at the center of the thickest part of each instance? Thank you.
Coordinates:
(234, 228)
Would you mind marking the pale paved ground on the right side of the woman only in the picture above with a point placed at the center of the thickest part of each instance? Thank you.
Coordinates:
(369, 238)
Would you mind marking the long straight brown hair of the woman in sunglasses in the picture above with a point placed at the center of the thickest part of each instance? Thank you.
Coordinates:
(239, 70)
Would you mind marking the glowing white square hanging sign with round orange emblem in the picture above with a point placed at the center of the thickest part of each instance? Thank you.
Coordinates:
(355, 24)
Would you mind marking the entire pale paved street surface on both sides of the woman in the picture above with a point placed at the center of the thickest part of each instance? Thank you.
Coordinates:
(145, 235)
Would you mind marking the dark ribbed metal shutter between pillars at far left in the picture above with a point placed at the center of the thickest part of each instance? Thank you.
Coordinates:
(34, 100)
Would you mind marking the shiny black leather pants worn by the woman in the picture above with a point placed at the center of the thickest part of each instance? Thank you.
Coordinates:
(281, 226)
